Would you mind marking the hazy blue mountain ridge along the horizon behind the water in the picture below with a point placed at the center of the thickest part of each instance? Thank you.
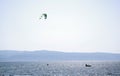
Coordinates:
(44, 55)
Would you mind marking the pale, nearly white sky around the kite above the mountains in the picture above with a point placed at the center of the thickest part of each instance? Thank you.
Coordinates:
(71, 25)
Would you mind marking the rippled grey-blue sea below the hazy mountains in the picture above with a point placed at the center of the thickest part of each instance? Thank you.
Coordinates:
(60, 68)
